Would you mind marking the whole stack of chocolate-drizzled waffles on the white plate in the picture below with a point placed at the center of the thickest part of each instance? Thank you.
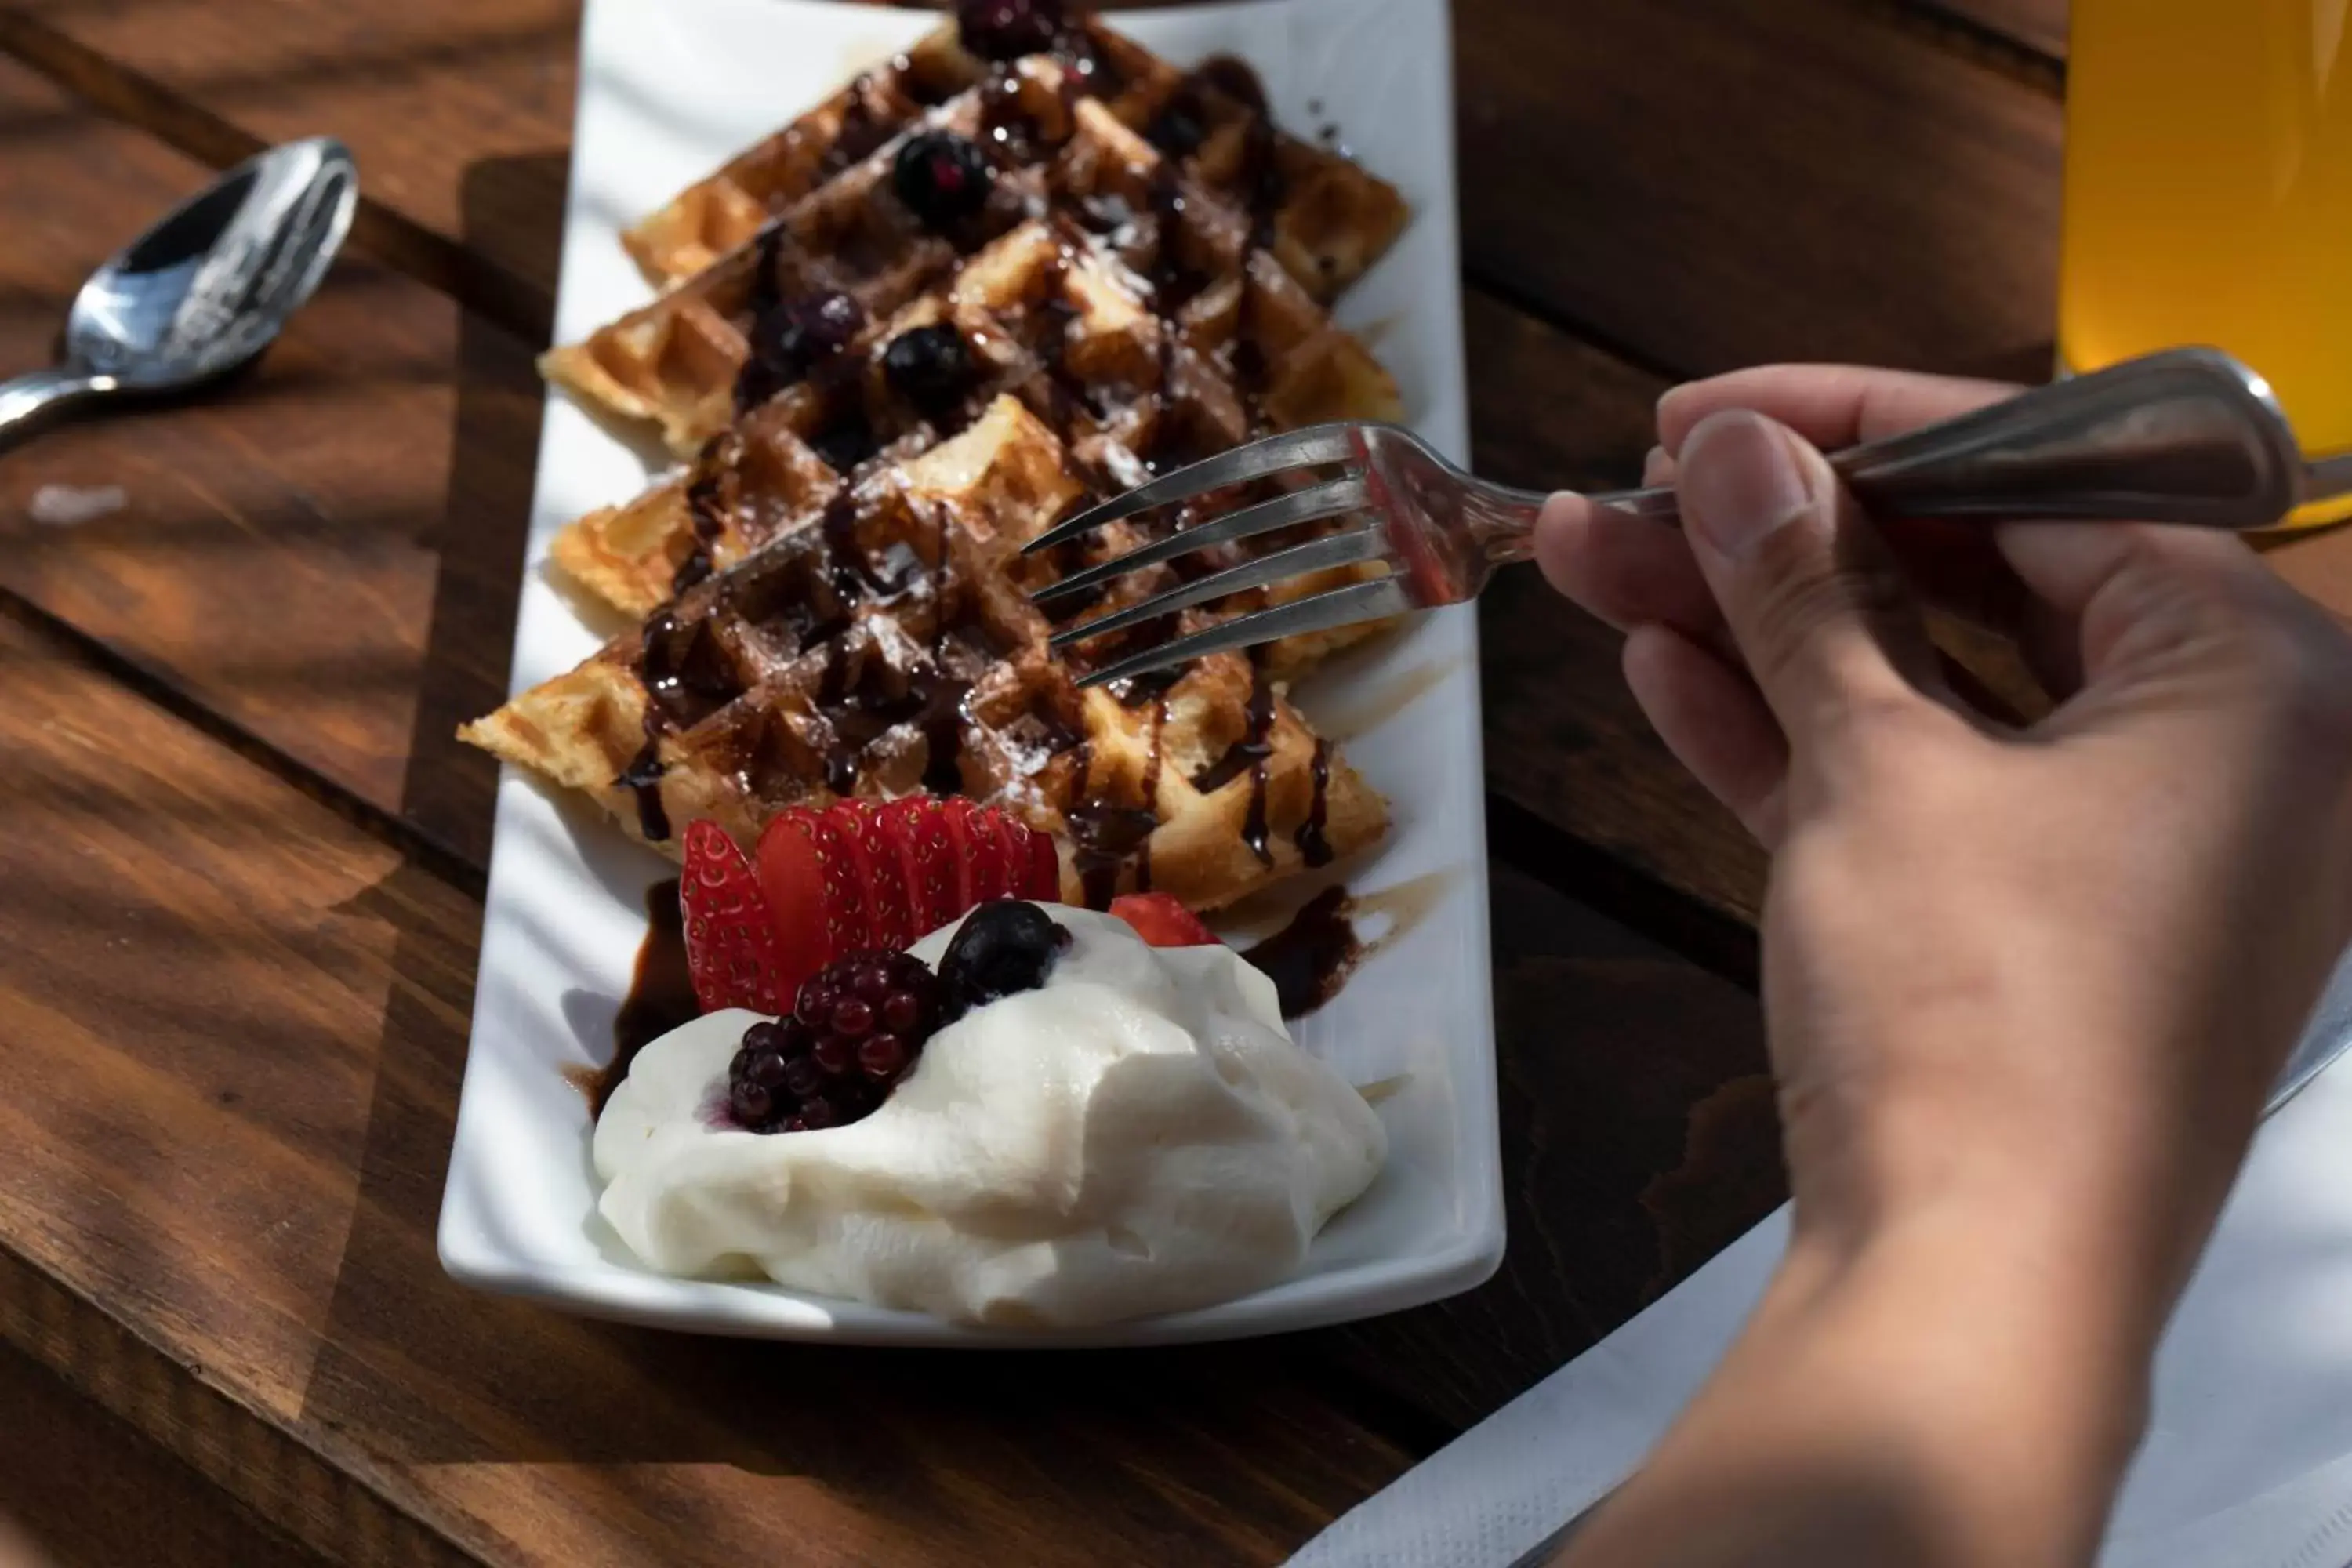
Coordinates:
(1005, 276)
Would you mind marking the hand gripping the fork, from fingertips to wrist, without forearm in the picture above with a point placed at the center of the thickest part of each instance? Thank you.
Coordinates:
(2073, 953)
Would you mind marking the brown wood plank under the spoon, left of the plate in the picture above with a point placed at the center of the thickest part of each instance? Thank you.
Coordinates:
(326, 554)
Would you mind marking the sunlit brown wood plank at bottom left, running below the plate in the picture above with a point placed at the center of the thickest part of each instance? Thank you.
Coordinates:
(236, 1028)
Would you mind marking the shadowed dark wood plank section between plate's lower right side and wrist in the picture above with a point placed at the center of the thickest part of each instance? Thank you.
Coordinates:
(1638, 1141)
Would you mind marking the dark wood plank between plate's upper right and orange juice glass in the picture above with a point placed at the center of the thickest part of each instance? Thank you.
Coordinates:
(1730, 182)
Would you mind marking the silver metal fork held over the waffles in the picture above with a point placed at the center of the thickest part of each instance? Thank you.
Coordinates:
(2184, 436)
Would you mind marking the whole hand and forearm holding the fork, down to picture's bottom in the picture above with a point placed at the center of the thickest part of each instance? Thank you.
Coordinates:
(2026, 989)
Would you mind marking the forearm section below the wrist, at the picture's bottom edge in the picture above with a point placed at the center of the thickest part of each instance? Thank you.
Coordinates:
(1944, 1393)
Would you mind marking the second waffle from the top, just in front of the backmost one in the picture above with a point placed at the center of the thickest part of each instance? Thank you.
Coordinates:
(693, 361)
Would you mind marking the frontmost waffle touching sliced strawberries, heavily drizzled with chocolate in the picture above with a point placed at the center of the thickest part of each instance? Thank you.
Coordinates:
(890, 648)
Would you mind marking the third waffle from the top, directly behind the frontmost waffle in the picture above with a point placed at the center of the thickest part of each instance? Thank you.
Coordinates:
(1055, 316)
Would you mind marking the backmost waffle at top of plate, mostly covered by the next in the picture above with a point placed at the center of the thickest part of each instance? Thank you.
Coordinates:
(1323, 217)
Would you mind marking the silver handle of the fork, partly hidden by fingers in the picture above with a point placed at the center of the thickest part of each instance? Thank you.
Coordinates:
(2184, 436)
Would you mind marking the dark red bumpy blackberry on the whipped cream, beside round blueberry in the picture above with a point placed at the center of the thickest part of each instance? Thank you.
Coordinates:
(855, 1031)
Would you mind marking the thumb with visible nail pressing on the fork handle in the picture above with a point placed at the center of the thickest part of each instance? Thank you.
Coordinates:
(1812, 594)
